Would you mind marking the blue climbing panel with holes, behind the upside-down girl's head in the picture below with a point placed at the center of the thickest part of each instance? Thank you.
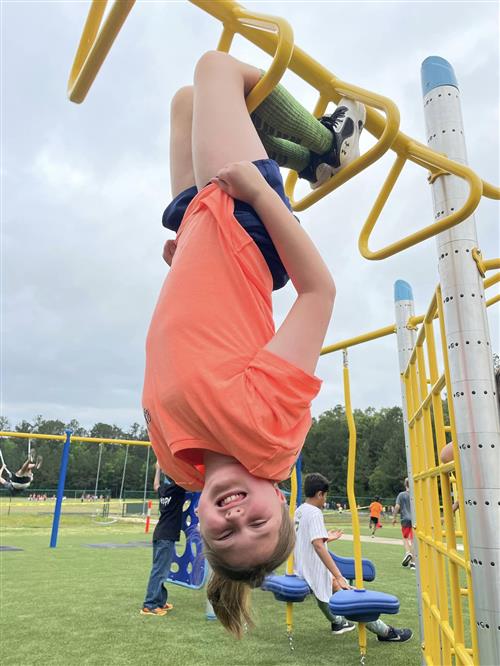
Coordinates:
(189, 569)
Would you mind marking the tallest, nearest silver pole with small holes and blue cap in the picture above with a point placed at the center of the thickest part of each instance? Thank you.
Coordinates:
(470, 358)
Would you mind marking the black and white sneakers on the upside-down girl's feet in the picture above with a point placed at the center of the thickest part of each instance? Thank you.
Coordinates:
(346, 124)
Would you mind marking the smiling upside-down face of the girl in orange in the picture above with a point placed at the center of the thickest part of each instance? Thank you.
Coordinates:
(240, 515)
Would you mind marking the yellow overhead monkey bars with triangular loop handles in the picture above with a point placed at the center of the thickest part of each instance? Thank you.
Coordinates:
(275, 37)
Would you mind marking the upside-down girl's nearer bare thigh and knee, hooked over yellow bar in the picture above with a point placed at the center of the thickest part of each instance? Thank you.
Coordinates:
(223, 131)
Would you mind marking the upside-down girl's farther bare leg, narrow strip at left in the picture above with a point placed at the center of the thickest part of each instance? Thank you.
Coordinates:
(181, 125)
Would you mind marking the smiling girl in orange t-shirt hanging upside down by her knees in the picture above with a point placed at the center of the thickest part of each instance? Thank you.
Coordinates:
(226, 397)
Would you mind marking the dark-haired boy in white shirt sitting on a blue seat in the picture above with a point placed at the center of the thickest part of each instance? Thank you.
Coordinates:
(314, 563)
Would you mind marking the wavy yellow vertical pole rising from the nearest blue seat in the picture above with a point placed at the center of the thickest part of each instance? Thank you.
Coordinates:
(351, 495)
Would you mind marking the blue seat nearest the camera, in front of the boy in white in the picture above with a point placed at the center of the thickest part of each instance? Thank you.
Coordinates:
(362, 605)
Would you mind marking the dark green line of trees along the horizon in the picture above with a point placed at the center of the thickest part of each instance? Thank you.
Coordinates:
(380, 460)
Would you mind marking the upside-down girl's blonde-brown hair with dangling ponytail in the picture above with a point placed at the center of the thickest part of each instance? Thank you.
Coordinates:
(229, 590)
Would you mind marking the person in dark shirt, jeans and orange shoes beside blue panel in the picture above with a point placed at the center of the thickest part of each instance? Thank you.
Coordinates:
(167, 532)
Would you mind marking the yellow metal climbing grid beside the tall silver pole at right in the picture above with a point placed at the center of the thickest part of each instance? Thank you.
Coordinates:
(440, 560)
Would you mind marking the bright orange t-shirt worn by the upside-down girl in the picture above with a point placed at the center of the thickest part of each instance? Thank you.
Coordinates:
(209, 383)
